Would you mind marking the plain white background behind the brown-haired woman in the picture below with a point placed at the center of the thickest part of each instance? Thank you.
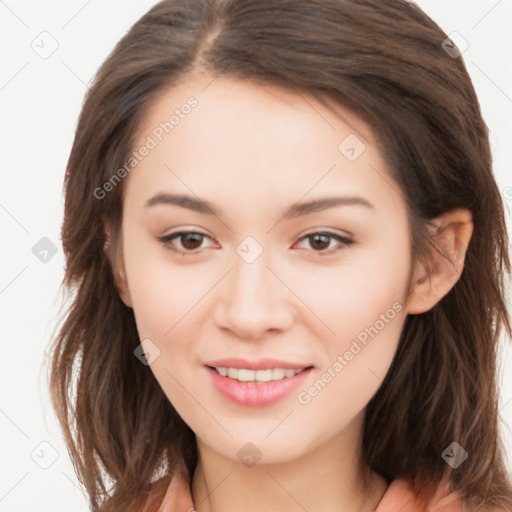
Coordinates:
(40, 100)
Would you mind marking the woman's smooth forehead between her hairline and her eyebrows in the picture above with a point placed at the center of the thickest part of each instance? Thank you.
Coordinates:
(243, 141)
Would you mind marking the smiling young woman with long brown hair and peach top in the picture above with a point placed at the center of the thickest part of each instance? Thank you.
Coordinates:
(288, 249)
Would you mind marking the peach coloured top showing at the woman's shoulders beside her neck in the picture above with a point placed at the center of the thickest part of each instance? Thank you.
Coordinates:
(399, 496)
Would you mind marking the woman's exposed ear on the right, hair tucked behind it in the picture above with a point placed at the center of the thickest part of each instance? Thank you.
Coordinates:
(451, 233)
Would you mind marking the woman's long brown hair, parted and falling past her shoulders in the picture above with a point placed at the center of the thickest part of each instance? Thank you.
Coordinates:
(384, 60)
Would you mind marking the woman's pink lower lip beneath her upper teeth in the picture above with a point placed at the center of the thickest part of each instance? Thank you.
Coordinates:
(255, 394)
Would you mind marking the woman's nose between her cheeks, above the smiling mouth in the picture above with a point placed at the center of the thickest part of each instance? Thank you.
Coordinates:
(253, 300)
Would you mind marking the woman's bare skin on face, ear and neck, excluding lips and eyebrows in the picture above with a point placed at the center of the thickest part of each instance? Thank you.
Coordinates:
(252, 151)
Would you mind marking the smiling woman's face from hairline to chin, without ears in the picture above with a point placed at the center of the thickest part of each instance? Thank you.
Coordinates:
(251, 290)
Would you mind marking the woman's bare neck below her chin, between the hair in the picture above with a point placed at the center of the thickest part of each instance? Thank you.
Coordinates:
(325, 479)
